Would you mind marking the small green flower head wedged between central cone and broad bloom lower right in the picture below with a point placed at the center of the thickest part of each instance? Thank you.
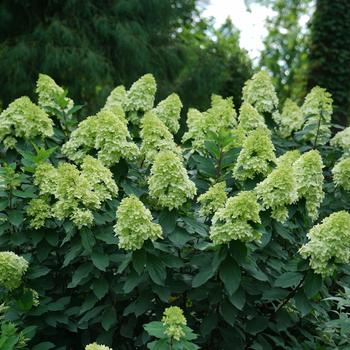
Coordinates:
(212, 200)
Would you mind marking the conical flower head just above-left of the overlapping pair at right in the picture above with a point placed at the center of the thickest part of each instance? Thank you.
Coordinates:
(256, 157)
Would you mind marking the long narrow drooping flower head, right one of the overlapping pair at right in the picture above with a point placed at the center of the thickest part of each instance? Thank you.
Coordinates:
(309, 177)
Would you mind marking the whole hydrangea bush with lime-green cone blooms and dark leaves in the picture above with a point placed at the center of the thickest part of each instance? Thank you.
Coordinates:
(113, 235)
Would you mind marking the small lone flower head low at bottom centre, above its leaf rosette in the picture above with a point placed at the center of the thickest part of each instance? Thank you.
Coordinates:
(174, 322)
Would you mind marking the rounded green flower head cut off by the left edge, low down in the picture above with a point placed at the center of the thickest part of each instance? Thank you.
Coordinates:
(12, 269)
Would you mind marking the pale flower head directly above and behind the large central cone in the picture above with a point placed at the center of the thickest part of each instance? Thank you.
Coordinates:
(155, 137)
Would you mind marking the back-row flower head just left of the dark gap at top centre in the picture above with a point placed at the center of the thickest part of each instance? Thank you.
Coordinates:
(168, 111)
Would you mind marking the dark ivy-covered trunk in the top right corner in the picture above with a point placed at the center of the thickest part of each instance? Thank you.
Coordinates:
(329, 65)
